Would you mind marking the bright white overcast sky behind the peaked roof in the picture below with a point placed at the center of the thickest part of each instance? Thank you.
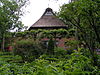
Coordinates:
(36, 8)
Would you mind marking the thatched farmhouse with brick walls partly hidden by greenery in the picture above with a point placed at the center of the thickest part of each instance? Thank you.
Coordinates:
(49, 21)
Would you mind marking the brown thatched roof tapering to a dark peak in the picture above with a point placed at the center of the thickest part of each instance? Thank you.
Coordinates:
(48, 20)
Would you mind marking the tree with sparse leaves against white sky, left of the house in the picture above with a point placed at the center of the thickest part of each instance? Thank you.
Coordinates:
(10, 12)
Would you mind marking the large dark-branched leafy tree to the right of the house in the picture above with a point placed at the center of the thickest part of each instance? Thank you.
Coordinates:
(85, 15)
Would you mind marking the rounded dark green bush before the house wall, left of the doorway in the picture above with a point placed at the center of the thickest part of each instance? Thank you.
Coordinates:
(28, 49)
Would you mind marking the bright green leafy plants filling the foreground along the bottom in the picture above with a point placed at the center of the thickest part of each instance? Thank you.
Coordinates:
(77, 64)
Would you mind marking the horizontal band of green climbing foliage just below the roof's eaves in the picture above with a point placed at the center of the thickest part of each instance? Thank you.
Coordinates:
(41, 33)
